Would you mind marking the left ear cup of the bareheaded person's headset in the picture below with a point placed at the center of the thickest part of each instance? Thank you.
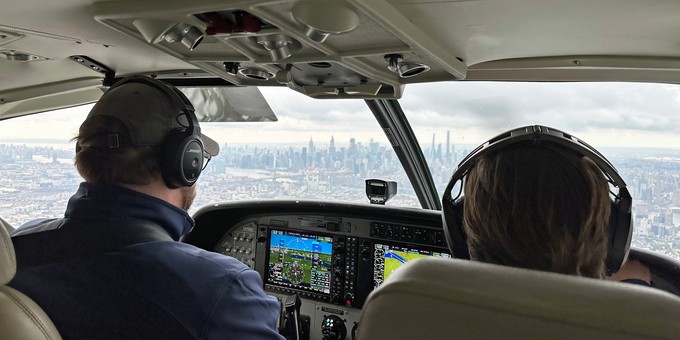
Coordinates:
(453, 228)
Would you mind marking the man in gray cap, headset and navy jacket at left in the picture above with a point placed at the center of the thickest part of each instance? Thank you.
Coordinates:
(113, 268)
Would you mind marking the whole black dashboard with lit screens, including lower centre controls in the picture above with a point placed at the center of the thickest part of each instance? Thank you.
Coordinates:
(331, 255)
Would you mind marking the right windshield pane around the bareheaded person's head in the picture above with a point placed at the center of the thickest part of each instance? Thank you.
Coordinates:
(636, 126)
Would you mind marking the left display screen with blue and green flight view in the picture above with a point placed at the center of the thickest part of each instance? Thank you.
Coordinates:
(300, 260)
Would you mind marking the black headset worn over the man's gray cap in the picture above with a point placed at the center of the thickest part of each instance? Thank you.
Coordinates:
(182, 151)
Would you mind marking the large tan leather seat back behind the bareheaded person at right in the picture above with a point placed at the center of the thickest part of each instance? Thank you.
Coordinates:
(455, 299)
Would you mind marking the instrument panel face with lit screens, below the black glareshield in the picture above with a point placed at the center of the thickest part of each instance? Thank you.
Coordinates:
(311, 256)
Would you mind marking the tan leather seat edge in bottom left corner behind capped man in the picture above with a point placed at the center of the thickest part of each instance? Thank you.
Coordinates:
(20, 317)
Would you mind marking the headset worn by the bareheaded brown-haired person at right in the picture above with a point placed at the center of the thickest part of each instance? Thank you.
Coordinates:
(620, 222)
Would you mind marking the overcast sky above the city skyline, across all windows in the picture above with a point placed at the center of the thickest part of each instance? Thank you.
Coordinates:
(602, 114)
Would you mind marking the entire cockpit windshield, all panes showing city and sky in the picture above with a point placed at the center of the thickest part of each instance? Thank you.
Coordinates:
(326, 149)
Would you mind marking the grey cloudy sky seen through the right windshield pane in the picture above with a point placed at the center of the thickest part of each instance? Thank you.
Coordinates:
(650, 111)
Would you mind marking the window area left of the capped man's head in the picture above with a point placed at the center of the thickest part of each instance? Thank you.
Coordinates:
(37, 175)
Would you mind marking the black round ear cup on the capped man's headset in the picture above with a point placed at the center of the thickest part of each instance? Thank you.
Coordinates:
(181, 158)
